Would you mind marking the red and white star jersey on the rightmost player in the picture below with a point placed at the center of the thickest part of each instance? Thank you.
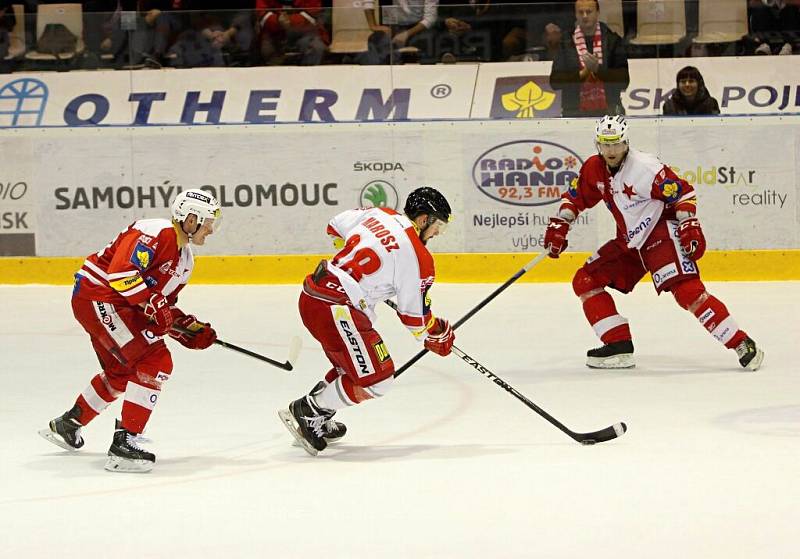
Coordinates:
(641, 192)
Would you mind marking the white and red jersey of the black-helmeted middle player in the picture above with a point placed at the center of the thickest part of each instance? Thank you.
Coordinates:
(384, 257)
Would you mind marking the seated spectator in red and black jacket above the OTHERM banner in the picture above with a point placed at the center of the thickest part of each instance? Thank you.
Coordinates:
(291, 26)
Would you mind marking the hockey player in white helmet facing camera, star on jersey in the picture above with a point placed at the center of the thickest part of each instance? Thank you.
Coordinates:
(657, 232)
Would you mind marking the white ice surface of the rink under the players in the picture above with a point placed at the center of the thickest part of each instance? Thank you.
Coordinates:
(446, 465)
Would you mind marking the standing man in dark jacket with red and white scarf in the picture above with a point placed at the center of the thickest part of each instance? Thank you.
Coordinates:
(591, 67)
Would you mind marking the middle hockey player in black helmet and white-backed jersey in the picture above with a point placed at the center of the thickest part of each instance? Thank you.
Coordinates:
(383, 255)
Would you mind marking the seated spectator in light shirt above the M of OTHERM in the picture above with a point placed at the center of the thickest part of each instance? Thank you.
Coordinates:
(406, 23)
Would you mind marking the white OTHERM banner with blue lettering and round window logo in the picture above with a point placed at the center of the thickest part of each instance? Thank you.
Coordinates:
(260, 95)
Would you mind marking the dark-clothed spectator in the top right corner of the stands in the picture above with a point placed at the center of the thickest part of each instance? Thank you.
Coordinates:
(774, 25)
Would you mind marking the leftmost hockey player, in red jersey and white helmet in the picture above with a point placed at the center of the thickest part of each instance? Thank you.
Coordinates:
(124, 297)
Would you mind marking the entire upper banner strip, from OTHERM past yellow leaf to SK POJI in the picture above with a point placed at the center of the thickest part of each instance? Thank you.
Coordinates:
(261, 95)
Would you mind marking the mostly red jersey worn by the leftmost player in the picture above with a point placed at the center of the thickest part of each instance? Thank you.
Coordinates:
(143, 259)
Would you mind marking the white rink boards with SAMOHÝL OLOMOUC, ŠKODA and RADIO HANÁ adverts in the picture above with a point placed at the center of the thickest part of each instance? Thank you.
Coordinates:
(280, 184)
